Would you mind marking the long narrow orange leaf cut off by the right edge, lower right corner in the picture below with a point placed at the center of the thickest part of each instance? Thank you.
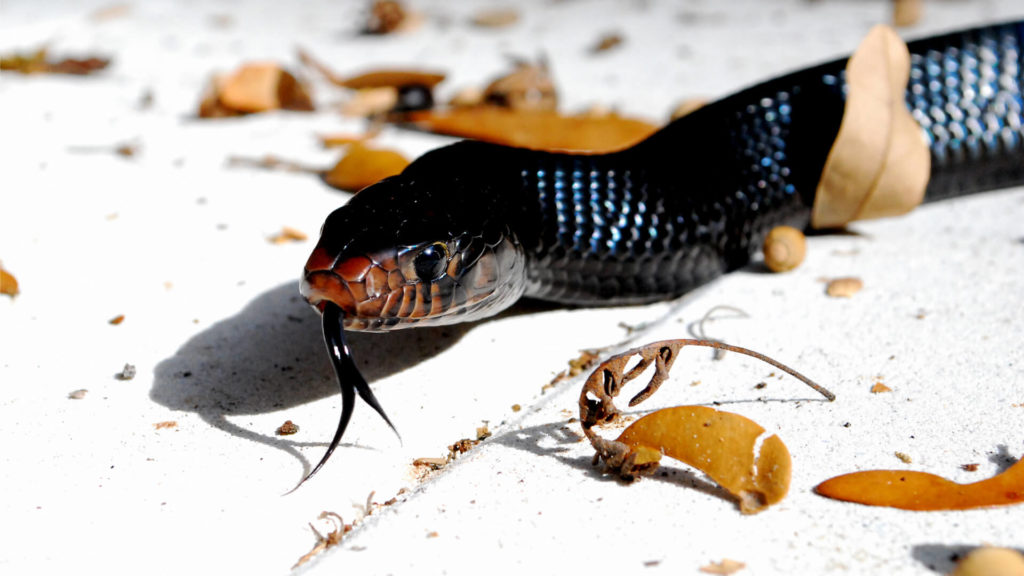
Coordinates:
(923, 491)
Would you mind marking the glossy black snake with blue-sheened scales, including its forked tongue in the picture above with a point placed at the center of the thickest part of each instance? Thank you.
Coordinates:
(467, 230)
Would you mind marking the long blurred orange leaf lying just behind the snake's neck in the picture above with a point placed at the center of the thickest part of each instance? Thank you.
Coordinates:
(538, 131)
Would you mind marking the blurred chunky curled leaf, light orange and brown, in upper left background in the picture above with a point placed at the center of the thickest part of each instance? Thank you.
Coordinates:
(254, 88)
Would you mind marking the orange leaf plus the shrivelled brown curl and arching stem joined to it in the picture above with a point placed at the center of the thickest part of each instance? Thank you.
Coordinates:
(730, 448)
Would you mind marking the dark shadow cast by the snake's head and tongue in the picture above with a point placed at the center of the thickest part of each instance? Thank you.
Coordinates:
(271, 357)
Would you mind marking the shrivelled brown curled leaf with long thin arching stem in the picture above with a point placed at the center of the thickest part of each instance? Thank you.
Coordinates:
(596, 399)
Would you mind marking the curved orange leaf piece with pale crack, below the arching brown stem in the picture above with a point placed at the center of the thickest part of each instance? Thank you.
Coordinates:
(721, 445)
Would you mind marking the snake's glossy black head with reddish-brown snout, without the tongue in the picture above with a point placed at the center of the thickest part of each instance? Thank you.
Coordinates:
(425, 248)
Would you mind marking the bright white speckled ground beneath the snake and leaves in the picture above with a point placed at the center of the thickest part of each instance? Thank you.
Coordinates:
(176, 239)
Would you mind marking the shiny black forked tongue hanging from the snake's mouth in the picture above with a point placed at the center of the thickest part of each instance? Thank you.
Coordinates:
(350, 380)
